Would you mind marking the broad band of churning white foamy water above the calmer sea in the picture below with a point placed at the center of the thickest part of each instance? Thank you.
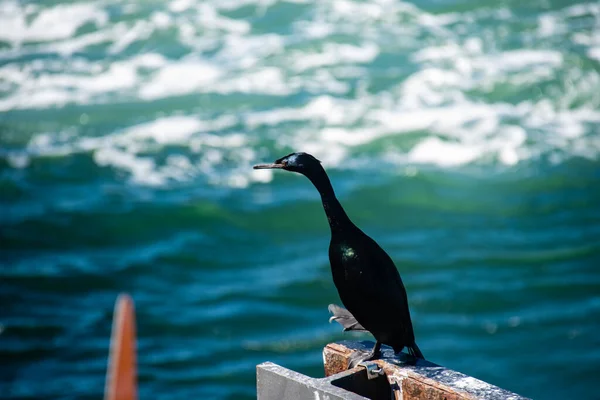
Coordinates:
(333, 84)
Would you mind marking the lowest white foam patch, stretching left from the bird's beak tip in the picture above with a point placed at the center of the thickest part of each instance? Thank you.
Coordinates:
(131, 151)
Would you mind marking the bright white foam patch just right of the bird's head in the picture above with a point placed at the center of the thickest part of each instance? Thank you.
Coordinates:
(469, 136)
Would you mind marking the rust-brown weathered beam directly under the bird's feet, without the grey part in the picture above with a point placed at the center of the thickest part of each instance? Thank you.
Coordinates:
(423, 380)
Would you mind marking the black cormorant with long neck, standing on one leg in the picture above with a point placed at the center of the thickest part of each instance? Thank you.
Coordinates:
(365, 276)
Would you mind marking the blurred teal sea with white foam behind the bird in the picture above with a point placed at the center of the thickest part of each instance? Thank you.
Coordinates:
(462, 135)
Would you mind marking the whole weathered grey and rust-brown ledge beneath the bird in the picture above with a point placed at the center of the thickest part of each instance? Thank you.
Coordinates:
(392, 377)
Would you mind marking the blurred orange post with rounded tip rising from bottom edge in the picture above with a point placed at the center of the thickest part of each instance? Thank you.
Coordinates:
(121, 377)
